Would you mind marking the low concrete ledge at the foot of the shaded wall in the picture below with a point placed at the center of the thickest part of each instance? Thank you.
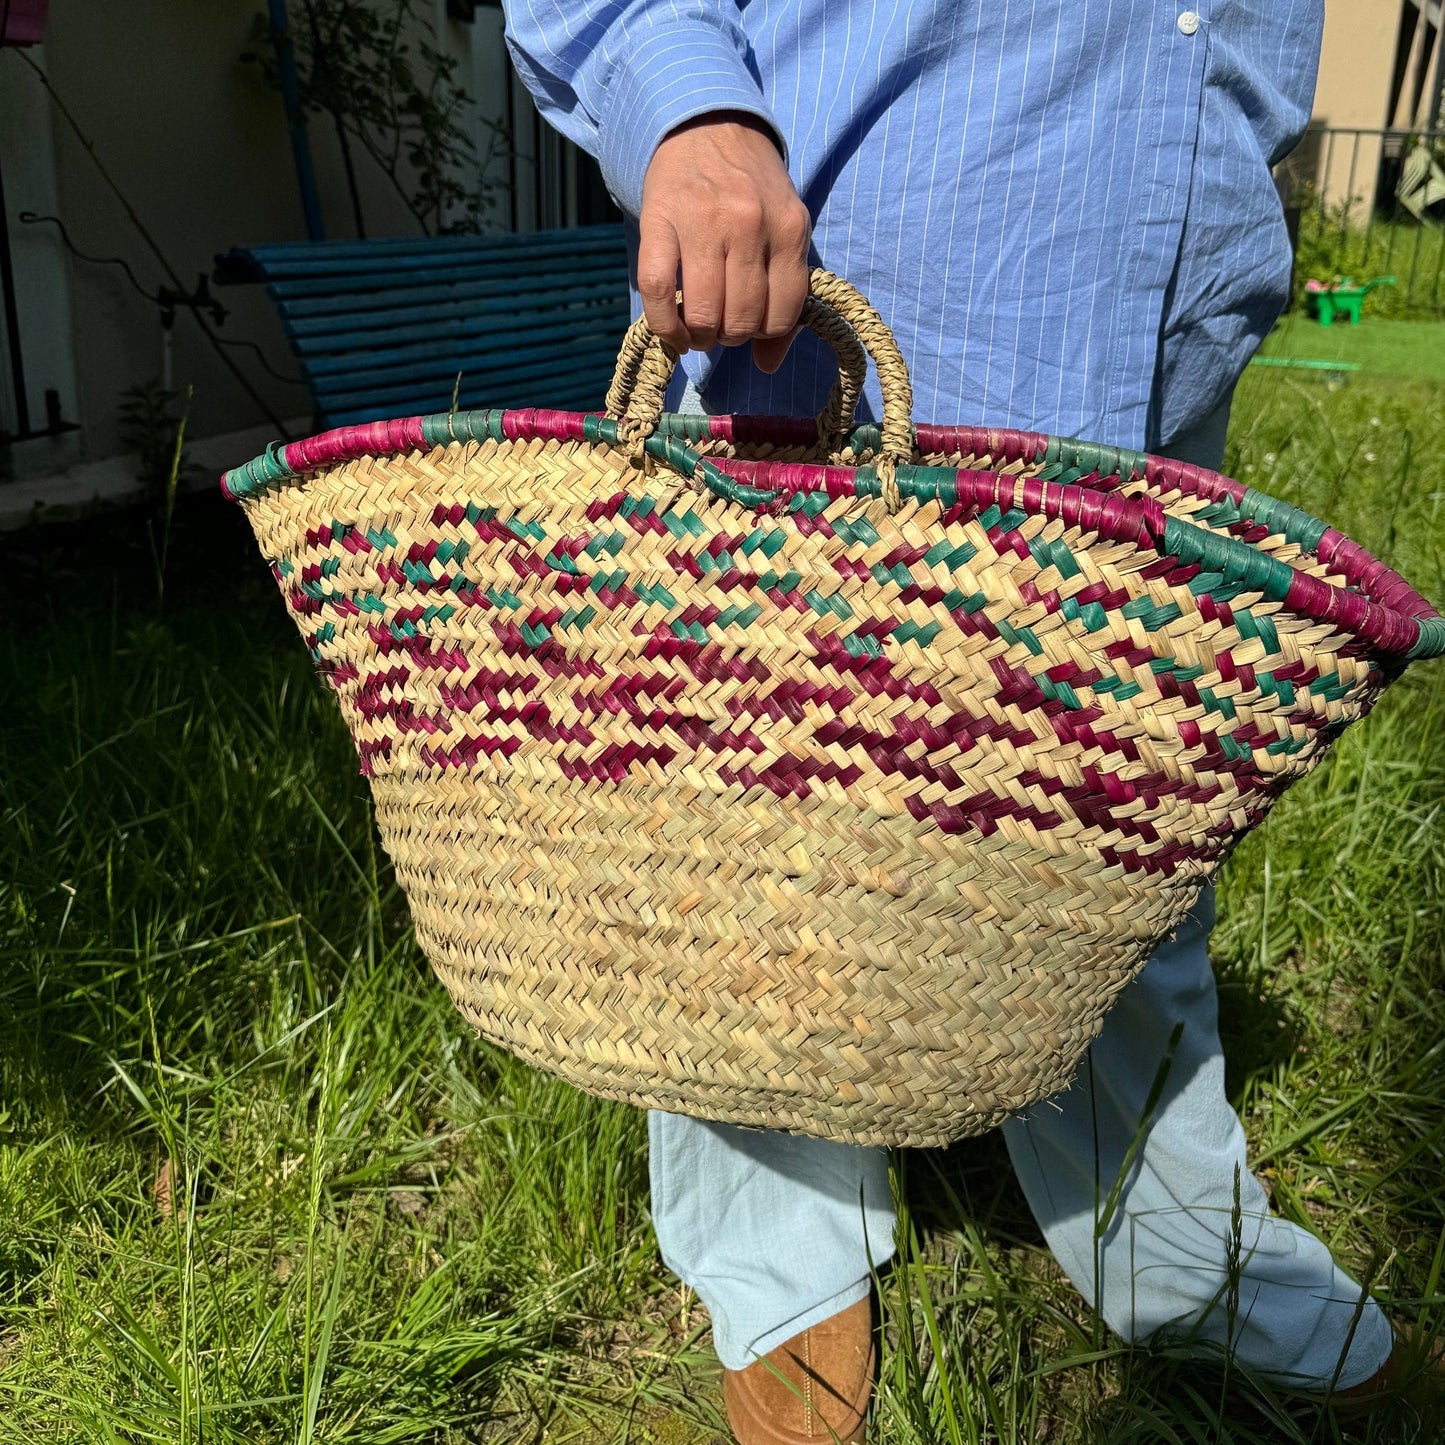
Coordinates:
(90, 489)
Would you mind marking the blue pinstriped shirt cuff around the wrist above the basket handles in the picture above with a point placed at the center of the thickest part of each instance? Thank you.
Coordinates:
(668, 79)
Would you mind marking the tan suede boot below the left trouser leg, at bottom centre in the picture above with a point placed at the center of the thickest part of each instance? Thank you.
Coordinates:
(813, 1389)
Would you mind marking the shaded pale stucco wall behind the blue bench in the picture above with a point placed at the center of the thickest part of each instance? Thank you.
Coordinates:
(200, 148)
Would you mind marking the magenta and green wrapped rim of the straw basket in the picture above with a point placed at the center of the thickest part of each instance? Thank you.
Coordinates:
(1376, 605)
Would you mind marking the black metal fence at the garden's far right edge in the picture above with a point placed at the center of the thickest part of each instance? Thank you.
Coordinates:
(1372, 202)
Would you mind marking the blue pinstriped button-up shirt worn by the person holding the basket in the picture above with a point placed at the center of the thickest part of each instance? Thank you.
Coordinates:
(1064, 210)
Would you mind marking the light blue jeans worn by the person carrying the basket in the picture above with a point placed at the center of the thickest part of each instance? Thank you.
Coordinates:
(775, 1232)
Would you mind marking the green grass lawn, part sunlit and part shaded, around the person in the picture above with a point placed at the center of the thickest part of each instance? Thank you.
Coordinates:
(259, 1184)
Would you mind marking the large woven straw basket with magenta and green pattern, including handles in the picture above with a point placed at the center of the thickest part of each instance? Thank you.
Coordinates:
(804, 775)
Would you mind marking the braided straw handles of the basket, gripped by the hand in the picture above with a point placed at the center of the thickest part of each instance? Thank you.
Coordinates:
(843, 317)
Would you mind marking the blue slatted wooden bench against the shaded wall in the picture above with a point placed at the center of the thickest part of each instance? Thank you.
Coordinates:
(384, 327)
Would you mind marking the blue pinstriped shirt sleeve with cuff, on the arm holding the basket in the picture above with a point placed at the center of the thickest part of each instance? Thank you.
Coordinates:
(618, 76)
